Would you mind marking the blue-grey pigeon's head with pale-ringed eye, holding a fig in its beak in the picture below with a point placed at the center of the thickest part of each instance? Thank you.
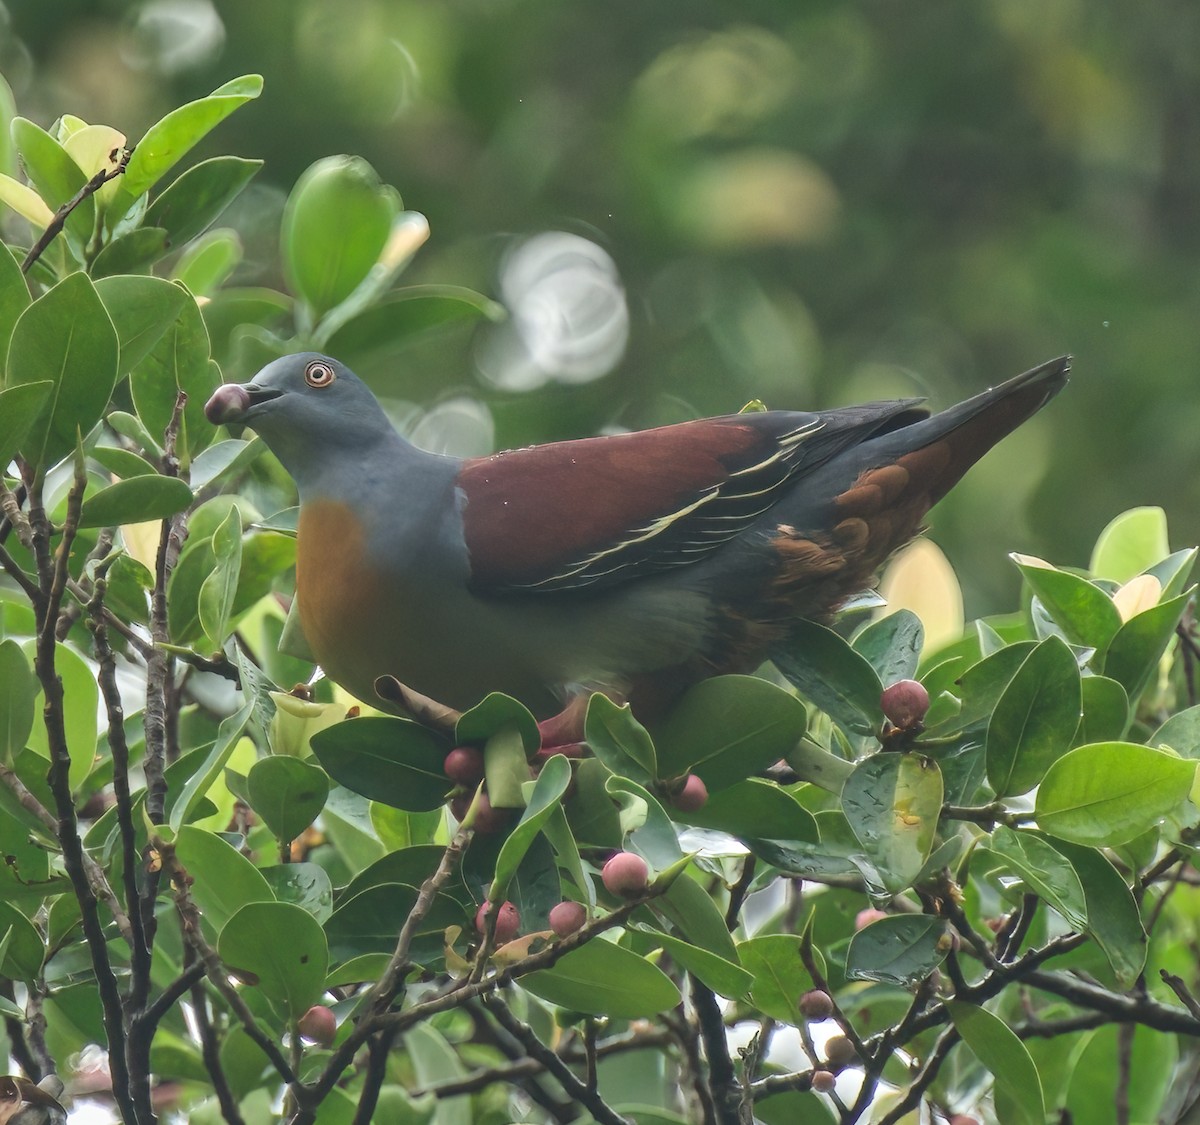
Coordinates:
(305, 407)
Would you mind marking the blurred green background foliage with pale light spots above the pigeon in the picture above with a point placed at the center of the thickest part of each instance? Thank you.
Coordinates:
(805, 203)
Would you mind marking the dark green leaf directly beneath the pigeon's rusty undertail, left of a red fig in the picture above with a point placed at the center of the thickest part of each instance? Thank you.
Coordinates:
(831, 675)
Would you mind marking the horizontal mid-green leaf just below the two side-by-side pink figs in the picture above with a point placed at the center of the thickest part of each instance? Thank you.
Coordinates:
(603, 979)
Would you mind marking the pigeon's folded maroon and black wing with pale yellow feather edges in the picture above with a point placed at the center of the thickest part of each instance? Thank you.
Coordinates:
(596, 513)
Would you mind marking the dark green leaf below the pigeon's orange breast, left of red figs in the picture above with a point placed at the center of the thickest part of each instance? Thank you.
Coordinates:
(393, 761)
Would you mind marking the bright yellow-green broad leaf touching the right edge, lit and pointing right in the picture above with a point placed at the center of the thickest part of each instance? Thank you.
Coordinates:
(1109, 793)
